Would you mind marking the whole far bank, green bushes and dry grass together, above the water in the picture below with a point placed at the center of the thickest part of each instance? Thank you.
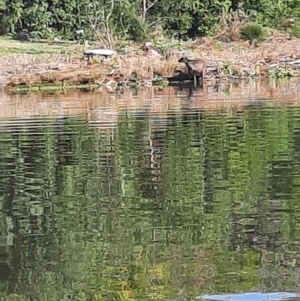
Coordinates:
(241, 40)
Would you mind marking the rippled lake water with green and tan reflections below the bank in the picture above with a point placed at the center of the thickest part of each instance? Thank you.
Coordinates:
(148, 196)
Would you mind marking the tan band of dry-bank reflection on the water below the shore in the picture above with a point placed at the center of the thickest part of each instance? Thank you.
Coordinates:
(105, 109)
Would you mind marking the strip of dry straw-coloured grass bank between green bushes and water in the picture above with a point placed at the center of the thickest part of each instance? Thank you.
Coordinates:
(65, 68)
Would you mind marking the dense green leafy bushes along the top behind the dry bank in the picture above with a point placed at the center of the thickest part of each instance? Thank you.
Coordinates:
(137, 19)
